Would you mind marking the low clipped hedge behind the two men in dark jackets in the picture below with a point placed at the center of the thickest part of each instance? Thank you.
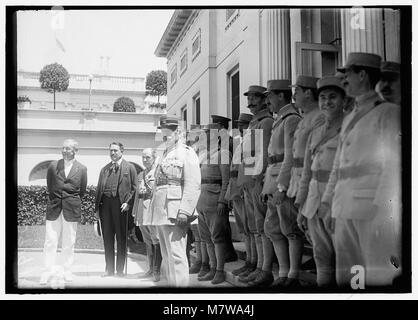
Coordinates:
(32, 200)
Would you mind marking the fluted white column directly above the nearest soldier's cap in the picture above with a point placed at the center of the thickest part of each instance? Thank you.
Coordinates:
(362, 31)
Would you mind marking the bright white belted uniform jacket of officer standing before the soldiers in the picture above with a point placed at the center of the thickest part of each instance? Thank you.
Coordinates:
(178, 163)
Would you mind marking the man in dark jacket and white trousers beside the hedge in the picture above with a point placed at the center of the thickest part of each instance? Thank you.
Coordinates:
(66, 183)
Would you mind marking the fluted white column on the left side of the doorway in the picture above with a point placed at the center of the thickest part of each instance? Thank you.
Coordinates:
(278, 44)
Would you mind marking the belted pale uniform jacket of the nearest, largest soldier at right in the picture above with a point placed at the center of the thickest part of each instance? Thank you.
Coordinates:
(373, 143)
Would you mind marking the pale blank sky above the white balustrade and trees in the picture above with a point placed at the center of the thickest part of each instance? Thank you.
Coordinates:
(128, 37)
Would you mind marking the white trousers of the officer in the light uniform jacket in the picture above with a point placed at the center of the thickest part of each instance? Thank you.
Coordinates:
(173, 241)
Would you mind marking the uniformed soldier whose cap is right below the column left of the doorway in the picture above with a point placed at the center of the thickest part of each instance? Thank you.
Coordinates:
(279, 96)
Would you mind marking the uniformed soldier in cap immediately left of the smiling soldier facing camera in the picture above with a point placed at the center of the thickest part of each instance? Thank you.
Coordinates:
(306, 100)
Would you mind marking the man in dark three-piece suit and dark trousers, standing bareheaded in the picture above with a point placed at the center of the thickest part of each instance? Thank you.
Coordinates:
(114, 199)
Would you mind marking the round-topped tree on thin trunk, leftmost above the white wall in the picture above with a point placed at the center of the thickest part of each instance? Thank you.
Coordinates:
(54, 78)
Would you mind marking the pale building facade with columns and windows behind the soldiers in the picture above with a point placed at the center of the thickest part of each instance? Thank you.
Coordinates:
(213, 55)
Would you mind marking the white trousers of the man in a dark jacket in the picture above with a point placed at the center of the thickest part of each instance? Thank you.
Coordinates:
(52, 235)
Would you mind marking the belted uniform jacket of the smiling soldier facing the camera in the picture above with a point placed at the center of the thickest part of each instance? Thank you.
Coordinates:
(319, 156)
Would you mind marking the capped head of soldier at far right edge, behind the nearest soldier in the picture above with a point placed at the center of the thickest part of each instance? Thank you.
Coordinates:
(390, 82)
